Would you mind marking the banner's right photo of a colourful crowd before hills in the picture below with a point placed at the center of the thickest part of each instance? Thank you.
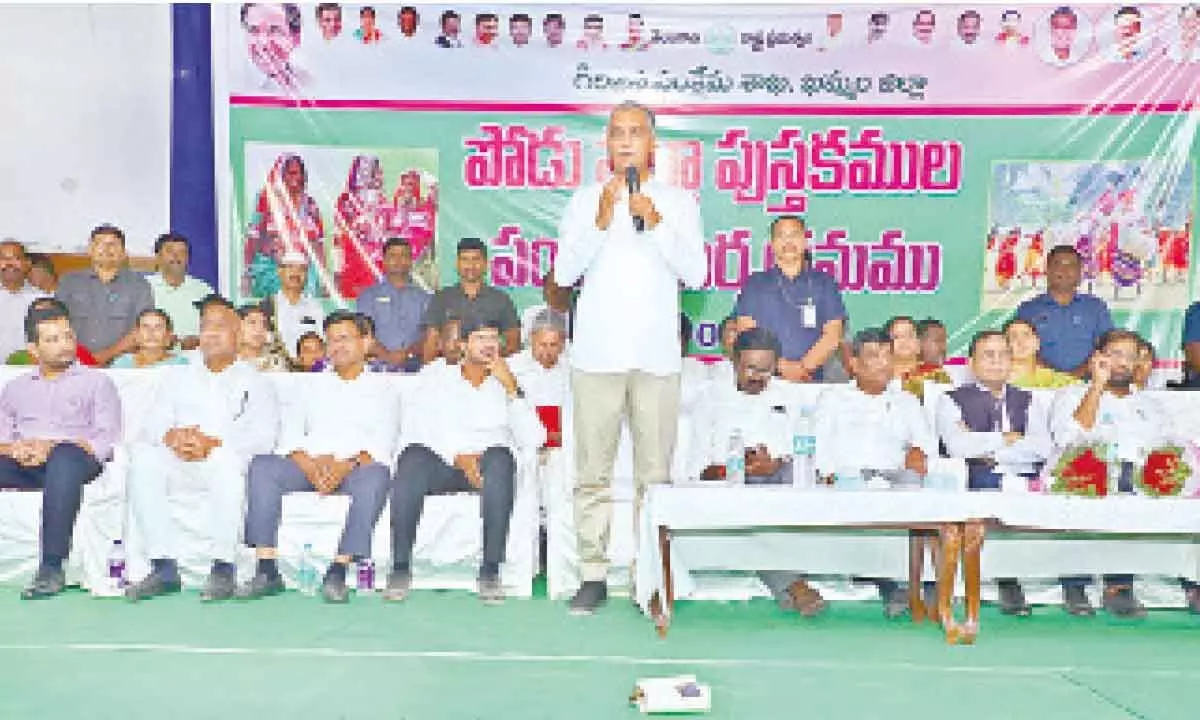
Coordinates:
(1131, 223)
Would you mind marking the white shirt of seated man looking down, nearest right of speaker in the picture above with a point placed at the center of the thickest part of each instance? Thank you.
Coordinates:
(763, 421)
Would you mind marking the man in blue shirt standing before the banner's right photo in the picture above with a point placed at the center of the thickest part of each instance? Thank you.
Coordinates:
(1069, 322)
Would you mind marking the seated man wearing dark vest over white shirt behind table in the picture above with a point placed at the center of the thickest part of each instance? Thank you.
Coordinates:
(989, 424)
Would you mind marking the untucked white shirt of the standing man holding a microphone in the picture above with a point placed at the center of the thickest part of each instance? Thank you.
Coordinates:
(628, 314)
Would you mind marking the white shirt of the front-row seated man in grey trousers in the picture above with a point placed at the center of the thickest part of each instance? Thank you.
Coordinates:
(344, 418)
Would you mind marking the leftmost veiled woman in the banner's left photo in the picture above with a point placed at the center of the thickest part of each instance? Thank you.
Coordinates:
(286, 219)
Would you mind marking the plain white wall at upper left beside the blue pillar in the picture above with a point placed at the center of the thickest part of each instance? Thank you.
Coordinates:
(85, 123)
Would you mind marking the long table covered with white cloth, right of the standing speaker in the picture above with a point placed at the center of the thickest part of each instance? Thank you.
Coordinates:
(685, 513)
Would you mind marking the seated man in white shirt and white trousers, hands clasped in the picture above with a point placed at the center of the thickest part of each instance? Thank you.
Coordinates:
(207, 423)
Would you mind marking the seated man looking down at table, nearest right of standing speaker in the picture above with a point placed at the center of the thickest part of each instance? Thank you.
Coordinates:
(754, 407)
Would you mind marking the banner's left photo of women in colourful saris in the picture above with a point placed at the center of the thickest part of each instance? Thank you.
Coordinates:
(338, 208)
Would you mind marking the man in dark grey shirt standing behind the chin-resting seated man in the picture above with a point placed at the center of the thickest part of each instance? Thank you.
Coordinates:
(472, 297)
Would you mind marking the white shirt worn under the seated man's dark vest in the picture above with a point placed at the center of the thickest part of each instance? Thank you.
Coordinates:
(1016, 459)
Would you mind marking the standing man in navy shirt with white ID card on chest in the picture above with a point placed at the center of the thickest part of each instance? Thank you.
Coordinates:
(801, 307)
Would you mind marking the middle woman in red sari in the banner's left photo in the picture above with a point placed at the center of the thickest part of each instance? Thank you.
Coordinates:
(362, 219)
